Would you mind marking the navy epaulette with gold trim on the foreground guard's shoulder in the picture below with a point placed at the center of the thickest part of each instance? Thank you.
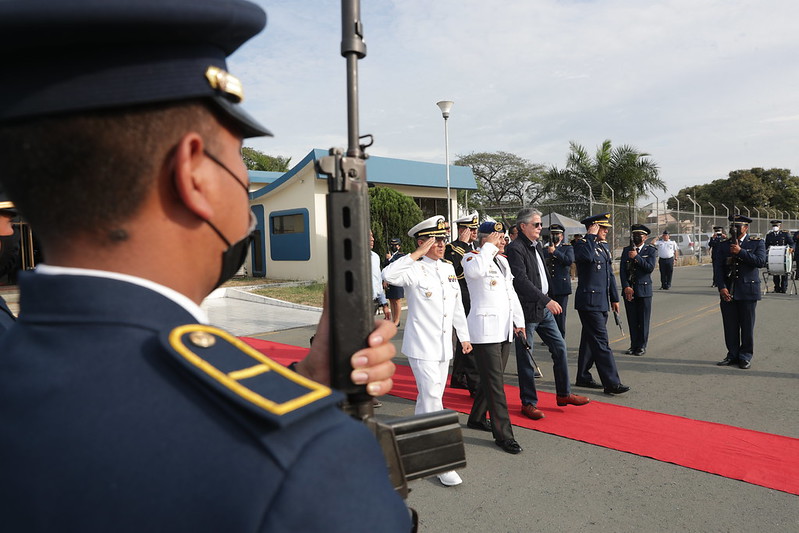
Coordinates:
(244, 375)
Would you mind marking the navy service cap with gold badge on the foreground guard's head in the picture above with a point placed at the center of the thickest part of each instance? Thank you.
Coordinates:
(63, 56)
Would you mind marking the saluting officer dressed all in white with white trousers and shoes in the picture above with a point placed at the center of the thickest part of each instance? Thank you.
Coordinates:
(434, 308)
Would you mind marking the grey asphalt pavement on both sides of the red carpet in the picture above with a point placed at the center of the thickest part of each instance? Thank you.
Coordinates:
(560, 485)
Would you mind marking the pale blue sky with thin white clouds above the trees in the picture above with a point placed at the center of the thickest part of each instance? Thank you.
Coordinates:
(703, 86)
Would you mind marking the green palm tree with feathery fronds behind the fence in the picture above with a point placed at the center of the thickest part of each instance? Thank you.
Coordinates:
(629, 174)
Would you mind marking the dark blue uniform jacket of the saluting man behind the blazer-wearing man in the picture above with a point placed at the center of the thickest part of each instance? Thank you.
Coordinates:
(596, 285)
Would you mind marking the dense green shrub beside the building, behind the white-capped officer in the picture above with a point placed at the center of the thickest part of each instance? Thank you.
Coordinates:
(392, 214)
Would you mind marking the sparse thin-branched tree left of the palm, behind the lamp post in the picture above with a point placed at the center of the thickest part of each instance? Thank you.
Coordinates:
(505, 182)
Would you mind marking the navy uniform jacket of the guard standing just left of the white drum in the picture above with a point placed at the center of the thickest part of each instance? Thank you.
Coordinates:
(746, 285)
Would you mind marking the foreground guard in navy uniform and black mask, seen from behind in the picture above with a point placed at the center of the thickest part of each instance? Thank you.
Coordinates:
(121, 409)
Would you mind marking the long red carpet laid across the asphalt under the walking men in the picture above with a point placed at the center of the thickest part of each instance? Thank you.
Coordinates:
(763, 459)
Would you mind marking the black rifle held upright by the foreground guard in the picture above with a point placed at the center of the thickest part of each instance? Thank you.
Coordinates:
(414, 447)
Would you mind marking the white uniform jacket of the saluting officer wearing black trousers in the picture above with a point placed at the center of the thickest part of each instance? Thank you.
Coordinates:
(495, 305)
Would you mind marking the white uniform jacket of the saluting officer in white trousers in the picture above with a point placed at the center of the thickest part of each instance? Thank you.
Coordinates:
(434, 306)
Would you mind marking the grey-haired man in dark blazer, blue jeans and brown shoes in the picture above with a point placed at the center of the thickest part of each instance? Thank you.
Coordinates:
(532, 281)
